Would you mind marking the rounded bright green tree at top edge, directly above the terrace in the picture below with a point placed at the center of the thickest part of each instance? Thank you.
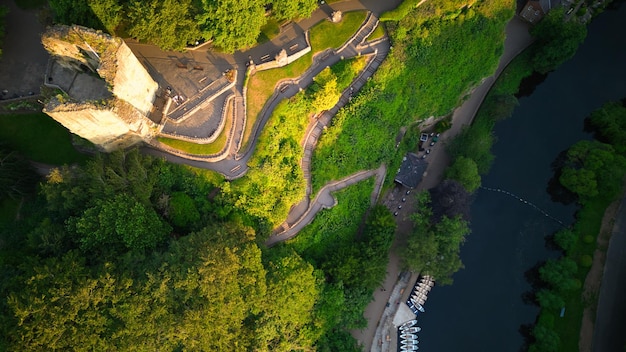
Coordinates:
(231, 24)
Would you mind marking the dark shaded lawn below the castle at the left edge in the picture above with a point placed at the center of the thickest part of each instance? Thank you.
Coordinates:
(40, 138)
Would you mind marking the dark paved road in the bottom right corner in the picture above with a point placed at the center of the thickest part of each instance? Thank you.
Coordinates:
(608, 332)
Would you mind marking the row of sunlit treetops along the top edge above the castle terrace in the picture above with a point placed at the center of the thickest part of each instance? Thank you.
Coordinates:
(172, 25)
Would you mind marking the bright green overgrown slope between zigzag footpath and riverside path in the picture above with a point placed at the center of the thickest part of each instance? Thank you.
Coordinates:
(439, 52)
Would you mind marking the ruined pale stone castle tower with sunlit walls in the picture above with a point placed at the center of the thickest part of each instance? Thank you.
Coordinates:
(108, 96)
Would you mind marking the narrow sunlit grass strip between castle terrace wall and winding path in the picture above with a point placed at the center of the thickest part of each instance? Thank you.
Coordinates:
(324, 35)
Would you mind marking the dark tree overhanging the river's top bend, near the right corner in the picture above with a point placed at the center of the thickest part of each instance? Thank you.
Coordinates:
(556, 40)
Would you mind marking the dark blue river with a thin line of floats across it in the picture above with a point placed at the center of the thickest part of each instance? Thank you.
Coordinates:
(484, 308)
